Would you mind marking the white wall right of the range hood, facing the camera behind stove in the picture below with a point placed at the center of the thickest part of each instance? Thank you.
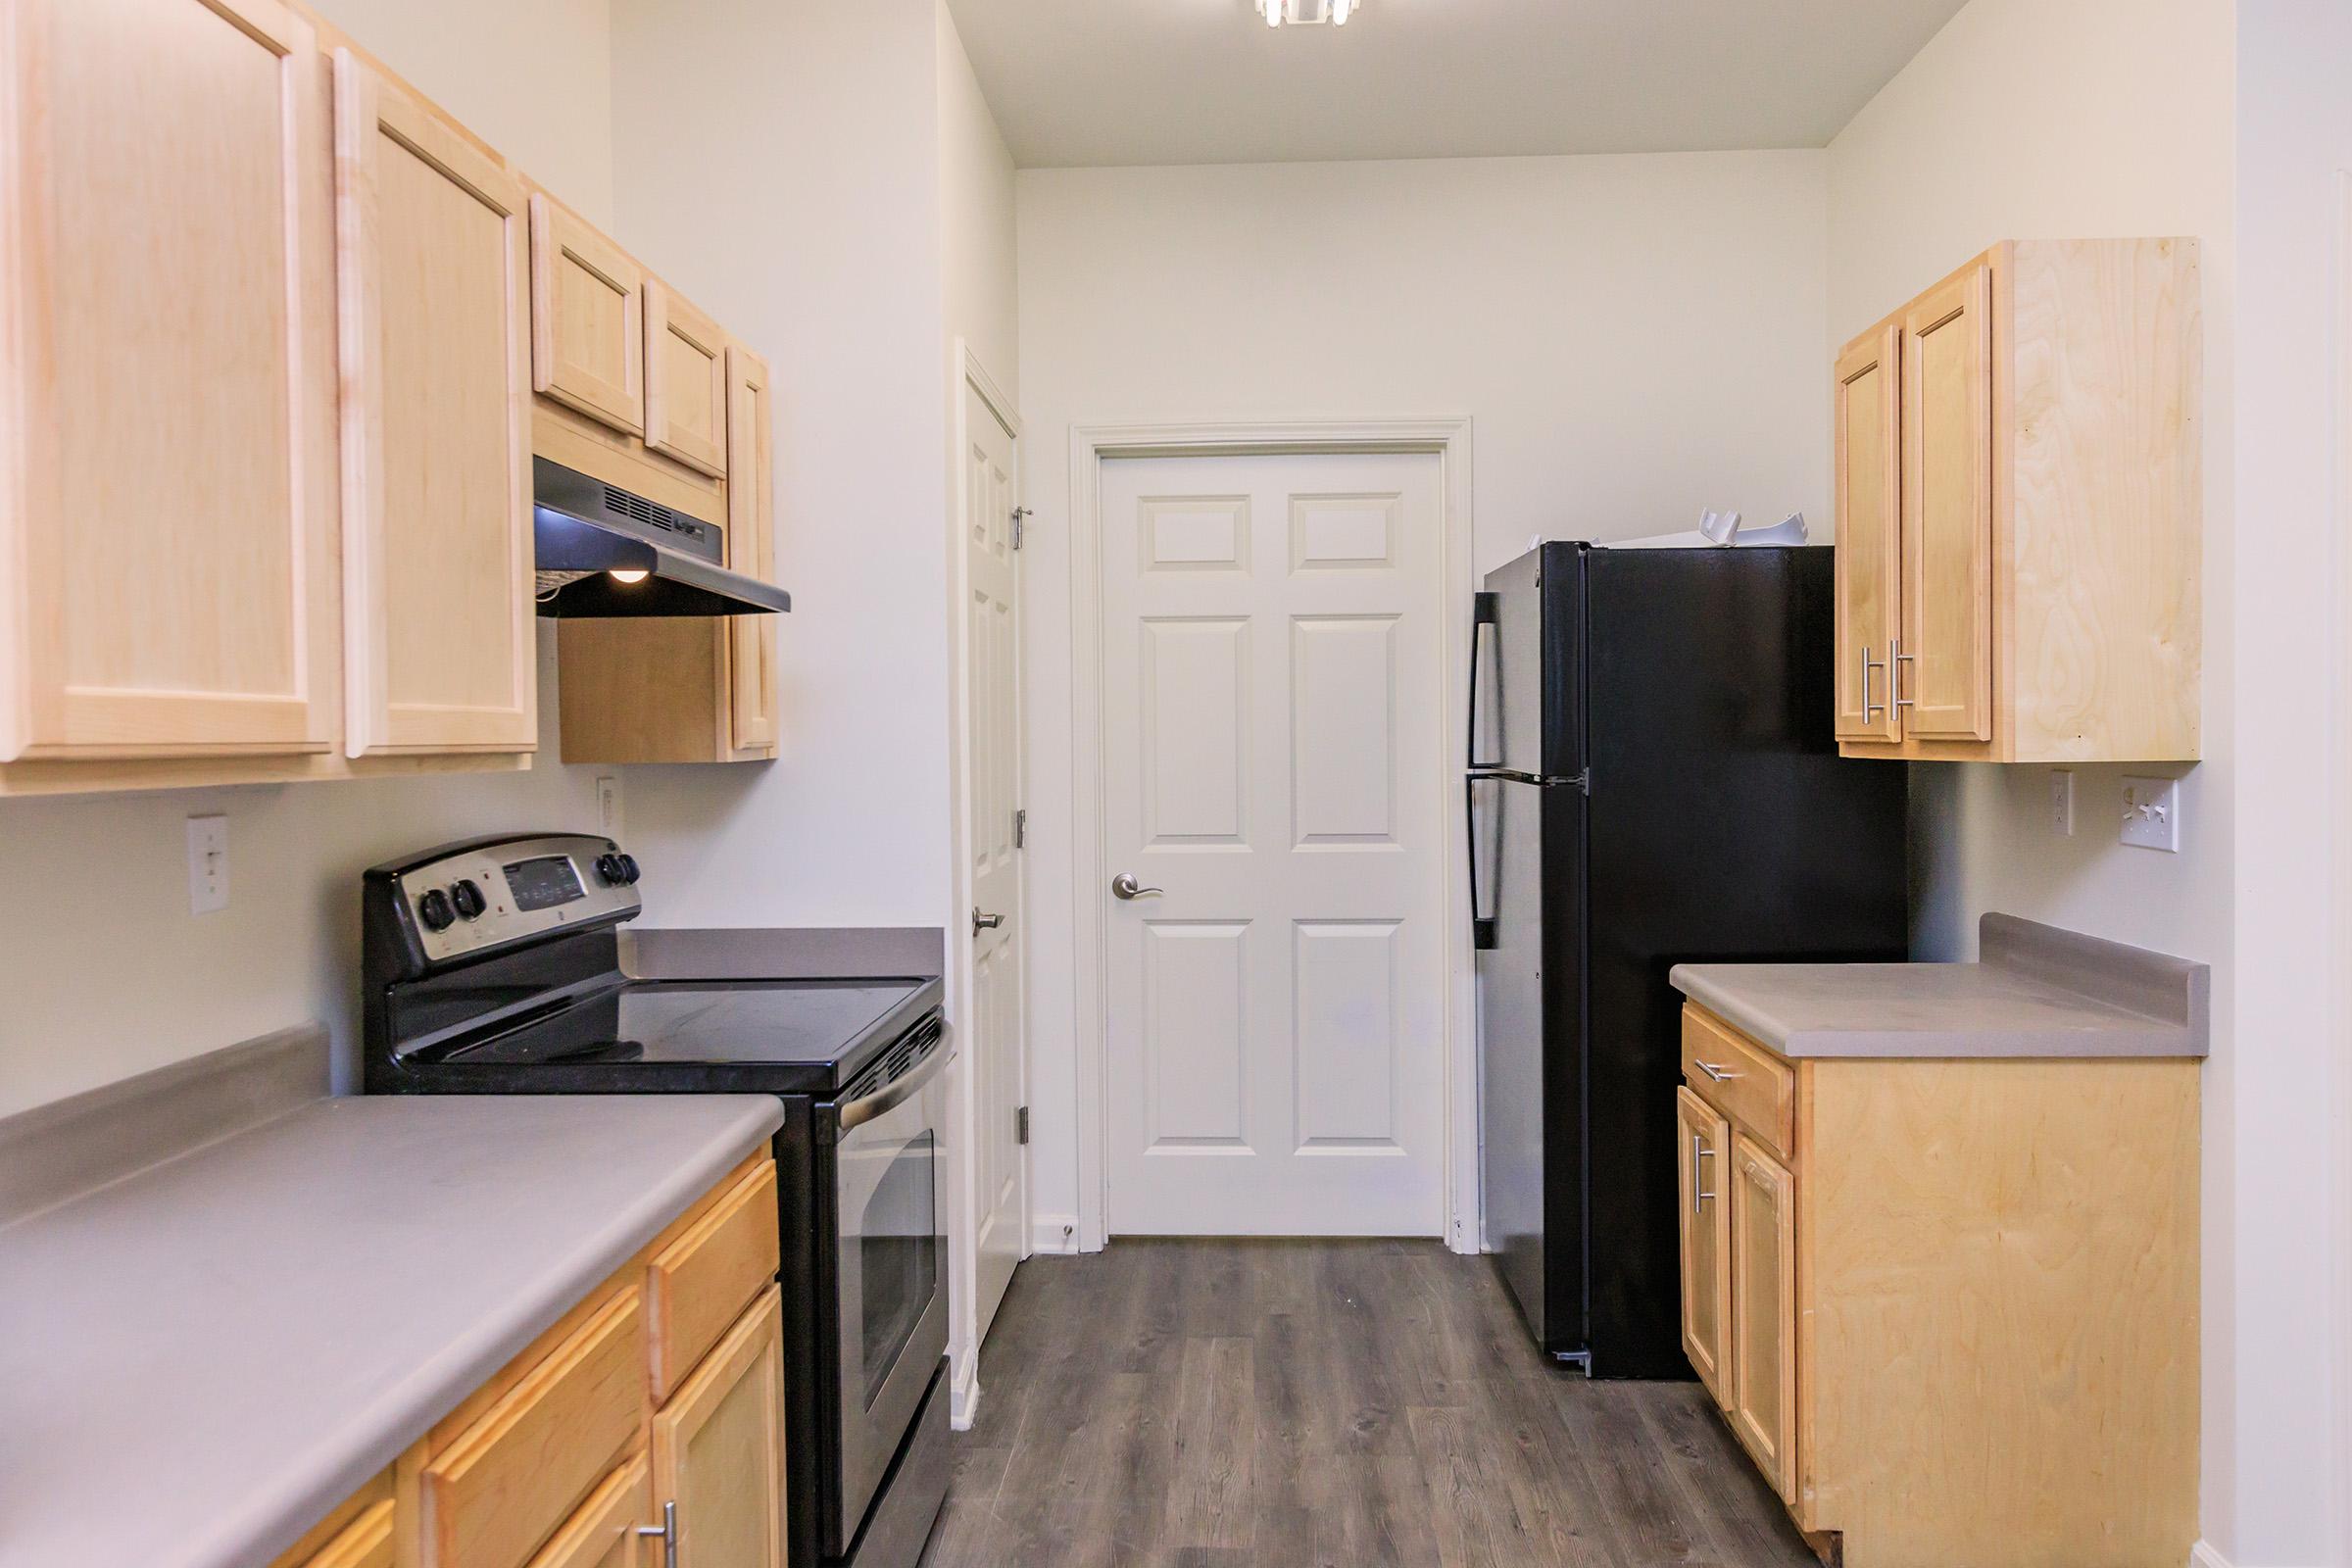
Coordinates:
(780, 163)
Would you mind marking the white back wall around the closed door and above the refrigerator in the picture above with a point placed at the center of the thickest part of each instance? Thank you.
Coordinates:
(1633, 337)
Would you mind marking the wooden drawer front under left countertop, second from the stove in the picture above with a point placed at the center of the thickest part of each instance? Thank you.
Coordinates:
(516, 1475)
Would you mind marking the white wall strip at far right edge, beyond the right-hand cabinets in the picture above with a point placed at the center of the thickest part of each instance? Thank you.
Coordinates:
(2294, 617)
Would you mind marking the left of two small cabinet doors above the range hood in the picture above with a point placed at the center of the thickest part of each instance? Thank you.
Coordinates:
(587, 321)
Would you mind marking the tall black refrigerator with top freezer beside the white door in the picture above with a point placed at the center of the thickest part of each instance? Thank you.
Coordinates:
(1652, 782)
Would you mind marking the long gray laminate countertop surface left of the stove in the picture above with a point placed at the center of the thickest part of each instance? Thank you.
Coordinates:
(208, 1355)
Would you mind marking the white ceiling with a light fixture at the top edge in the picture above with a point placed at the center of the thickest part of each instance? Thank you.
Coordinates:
(1208, 81)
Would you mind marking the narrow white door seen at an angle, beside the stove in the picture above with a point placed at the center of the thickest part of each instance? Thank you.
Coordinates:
(994, 1028)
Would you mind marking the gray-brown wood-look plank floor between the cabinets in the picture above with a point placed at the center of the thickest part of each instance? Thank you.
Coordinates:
(1325, 1405)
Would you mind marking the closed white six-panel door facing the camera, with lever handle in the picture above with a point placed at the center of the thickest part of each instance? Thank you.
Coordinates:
(1274, 779)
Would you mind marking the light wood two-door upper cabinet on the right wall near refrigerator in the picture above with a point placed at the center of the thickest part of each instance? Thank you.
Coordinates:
(2022, 511)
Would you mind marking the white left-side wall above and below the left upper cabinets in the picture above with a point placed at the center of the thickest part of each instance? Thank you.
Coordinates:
(107, 972)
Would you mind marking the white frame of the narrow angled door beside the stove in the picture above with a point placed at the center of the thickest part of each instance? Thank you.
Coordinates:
(963, 1099)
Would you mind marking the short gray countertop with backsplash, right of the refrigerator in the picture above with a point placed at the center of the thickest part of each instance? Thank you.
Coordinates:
(2036, 993)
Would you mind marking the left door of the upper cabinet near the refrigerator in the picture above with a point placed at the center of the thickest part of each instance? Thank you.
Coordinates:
(1869, 535)
